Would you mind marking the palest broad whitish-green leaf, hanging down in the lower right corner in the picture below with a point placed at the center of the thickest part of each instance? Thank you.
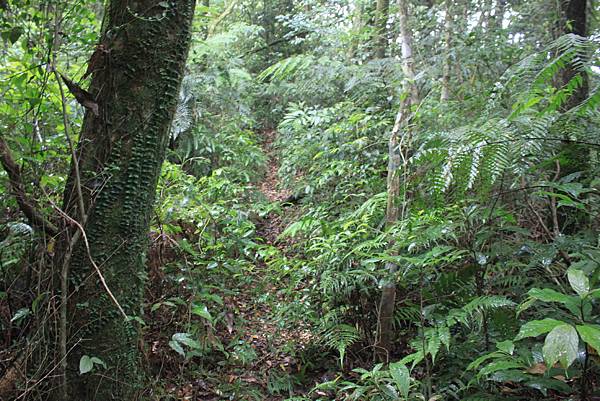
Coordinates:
(561, 346)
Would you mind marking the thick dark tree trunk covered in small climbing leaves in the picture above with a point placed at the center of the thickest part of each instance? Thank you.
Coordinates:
(120, 151)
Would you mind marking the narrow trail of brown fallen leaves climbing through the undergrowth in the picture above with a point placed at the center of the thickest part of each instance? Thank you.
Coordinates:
(272, 343)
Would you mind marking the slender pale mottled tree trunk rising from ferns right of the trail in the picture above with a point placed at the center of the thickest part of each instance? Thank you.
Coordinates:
(398, 147)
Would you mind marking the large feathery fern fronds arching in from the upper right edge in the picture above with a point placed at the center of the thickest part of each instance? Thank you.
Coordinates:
(480, 153)
